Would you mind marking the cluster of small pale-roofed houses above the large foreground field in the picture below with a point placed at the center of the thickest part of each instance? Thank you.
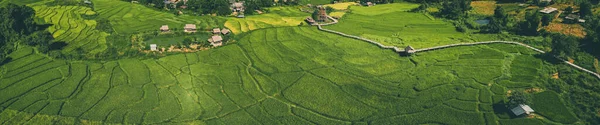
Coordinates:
(215, 40)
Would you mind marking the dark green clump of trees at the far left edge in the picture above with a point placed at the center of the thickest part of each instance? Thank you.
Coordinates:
(17, 27)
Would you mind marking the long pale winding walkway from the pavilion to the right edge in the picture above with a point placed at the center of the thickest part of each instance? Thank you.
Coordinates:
(398, 50)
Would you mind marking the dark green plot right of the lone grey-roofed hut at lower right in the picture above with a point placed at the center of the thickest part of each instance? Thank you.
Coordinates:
(550, 105)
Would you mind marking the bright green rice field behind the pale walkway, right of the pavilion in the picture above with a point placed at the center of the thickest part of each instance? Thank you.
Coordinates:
(396, 27)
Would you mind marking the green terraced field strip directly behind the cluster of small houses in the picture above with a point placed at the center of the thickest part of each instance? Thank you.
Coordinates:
(129, 18)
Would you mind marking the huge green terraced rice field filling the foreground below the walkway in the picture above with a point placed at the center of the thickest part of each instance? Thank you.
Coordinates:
(293, 75)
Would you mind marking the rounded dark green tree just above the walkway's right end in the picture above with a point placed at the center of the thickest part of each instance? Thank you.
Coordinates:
(564, 46)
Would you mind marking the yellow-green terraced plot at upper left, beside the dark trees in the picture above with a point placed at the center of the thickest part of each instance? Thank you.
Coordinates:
(69, 26)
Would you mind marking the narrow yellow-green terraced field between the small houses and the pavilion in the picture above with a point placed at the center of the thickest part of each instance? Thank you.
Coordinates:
(277, 17)
